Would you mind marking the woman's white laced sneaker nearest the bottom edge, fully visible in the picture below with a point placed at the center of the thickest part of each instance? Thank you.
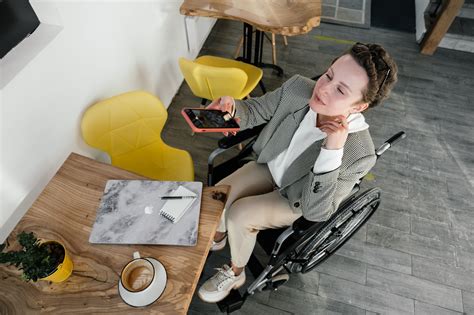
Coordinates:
(218, 286)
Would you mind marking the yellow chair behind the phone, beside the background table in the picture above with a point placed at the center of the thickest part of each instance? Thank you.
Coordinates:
(211, 77)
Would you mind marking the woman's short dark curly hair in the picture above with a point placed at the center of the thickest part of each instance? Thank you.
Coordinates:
(381, 70)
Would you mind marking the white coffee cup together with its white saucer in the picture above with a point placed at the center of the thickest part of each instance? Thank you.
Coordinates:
(142, 281)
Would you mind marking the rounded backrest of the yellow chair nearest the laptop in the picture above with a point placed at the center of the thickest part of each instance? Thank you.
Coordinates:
(124, 123)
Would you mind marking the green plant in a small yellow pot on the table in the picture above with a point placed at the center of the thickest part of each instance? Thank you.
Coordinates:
(39, 260)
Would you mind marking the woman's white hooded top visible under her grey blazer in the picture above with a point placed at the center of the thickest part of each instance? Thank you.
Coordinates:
(306, 134)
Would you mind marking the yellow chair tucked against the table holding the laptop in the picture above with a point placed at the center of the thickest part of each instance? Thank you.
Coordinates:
(128, 127)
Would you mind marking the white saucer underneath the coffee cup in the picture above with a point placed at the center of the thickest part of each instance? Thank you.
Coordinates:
(153, 292)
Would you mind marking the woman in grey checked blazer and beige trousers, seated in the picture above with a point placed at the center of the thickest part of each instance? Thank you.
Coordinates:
(313, 150)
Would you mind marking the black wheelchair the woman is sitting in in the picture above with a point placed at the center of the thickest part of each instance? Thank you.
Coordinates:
(304, 245)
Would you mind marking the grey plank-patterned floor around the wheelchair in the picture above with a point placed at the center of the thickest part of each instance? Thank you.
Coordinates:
(416, 254)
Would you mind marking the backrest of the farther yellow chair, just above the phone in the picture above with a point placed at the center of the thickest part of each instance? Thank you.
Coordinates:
(213, 82)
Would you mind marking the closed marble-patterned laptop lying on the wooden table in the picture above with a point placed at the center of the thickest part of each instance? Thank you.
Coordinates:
(129, 213)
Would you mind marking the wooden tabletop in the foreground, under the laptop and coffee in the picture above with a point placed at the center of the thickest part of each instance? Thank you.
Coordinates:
(66, 211)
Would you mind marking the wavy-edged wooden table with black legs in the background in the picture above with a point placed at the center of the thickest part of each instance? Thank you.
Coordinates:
(276, 16)
